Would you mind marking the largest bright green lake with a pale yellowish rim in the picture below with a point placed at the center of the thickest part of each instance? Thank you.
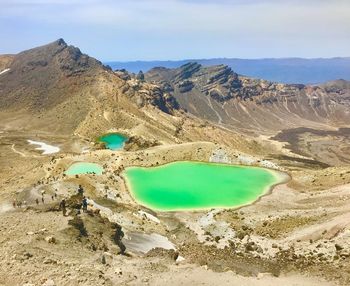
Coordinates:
(195, 185)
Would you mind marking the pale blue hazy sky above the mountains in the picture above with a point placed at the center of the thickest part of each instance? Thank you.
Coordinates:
(180, 29)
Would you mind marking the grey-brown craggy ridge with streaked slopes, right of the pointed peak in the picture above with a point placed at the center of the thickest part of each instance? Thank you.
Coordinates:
(220, 95)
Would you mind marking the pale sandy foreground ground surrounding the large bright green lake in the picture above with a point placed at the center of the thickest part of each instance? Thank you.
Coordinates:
(297, 235)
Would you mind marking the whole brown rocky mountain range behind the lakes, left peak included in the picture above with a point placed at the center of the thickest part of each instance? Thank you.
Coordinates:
(77, 94)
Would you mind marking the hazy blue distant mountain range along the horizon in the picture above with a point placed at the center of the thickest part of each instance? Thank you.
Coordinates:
(288, 70)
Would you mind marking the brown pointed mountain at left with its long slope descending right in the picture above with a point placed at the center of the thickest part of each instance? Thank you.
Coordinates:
(57, 93)
